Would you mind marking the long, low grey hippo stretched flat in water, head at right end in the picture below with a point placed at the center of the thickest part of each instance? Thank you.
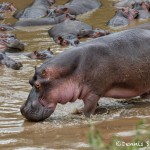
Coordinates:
(43, 21)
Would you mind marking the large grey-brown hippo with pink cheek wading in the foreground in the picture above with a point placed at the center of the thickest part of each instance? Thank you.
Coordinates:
(116, 65)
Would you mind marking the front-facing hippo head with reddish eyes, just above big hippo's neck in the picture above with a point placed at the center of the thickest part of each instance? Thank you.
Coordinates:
(66, 40)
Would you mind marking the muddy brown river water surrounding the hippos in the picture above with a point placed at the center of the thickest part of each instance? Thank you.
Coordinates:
(64, 130)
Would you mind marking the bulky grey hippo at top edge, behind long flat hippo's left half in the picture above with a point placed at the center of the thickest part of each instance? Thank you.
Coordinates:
(38, 9)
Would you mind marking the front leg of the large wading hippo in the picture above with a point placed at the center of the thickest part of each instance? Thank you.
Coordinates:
(90, 104)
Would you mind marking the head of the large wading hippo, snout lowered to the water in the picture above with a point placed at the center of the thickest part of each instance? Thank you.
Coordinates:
(39, 104)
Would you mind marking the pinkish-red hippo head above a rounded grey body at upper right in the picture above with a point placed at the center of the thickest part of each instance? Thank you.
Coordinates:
(128, 13)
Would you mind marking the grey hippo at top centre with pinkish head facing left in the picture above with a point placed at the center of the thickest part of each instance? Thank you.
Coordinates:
(75, 7)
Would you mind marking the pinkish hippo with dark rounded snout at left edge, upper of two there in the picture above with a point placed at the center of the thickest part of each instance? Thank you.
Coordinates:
(11, 43)
